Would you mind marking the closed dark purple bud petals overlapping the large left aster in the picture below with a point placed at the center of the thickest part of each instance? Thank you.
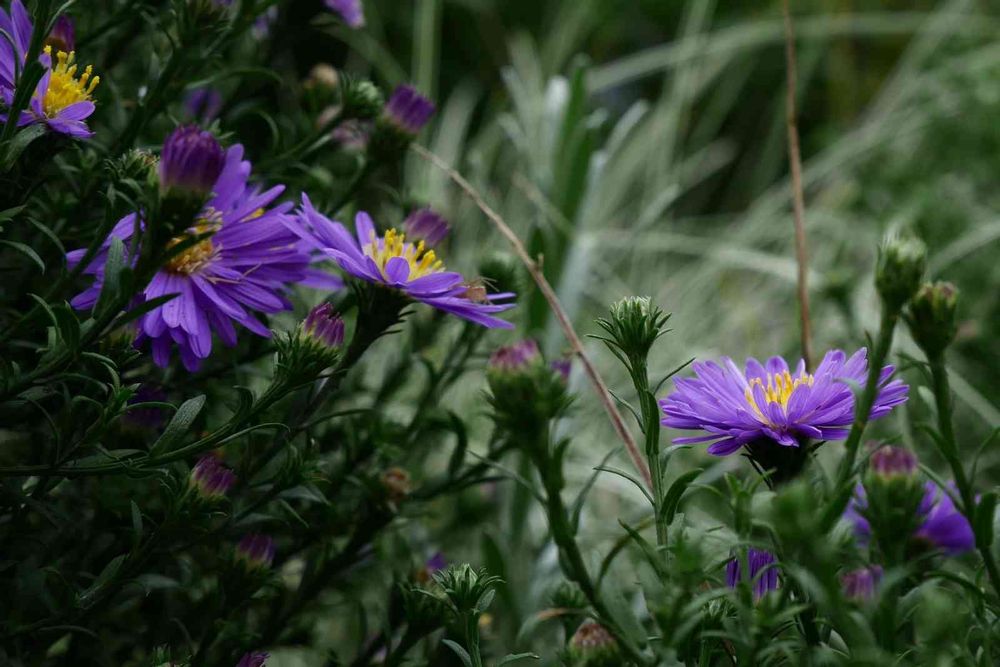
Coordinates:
(191, 161)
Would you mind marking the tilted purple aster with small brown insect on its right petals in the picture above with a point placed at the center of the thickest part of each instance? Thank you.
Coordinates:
(391, 261)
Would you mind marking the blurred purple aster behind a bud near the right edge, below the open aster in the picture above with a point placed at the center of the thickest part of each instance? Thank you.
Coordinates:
(940, 524)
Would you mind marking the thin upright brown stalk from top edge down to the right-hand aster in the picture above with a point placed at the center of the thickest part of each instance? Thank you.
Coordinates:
(798, 197)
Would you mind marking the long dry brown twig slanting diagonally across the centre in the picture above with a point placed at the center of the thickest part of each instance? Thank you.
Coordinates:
(617, 421)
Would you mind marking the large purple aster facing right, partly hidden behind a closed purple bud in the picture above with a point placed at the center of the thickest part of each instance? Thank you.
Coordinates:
(244, 262)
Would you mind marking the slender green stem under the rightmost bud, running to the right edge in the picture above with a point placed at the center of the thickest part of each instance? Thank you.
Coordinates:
(948, 446)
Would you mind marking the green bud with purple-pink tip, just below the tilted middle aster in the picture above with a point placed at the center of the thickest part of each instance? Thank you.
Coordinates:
(314, 346)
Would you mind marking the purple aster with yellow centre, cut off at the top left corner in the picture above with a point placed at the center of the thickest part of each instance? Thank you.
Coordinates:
(63, 97)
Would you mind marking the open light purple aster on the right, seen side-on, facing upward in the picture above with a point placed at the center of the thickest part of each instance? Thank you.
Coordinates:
(772, 403)
